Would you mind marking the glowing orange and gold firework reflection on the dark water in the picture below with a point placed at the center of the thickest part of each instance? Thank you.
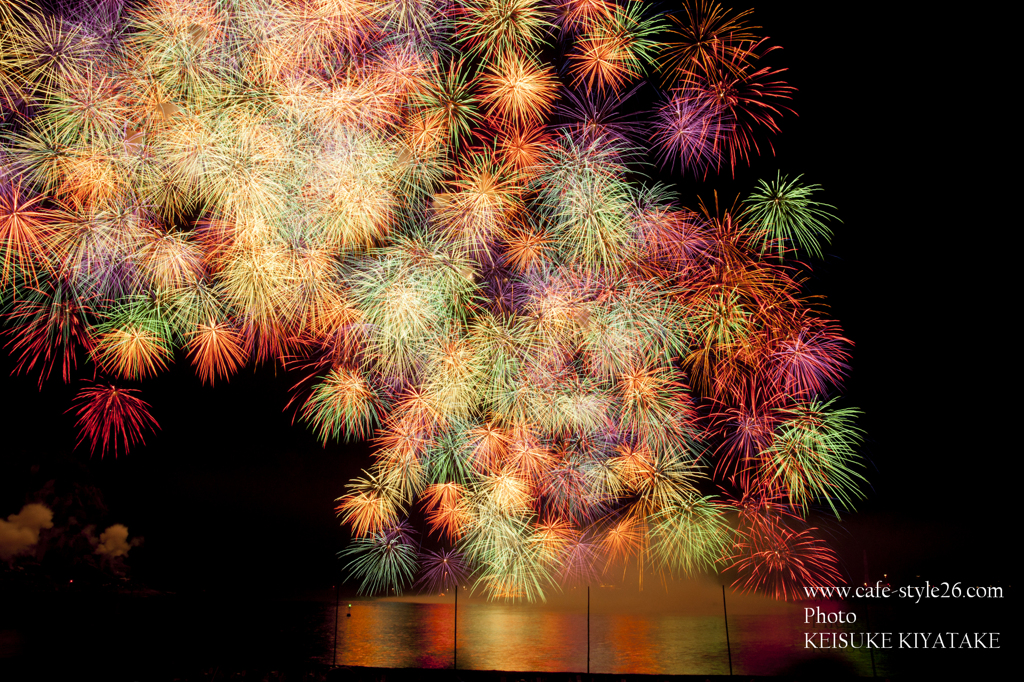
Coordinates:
(496, 636)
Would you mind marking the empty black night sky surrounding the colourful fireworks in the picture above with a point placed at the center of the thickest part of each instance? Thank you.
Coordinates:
(230, 494)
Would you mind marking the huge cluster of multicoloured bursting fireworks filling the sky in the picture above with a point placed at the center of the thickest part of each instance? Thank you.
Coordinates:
(435, 214)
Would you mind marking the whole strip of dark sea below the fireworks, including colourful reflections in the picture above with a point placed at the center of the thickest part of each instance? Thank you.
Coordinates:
(707, 631)
